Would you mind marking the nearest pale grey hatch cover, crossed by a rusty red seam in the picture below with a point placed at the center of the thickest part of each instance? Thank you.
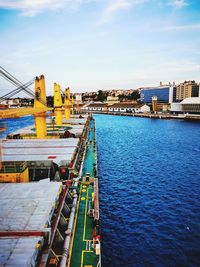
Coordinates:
(26, 210)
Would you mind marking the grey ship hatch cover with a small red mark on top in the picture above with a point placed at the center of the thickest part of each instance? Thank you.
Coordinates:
(56, 150)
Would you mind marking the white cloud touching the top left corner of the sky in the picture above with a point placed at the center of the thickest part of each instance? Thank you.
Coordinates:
(34, 7)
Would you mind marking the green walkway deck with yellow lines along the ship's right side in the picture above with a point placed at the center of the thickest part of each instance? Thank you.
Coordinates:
(82, 252)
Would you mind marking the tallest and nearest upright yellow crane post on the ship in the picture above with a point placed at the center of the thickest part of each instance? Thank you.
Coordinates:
(40, 103)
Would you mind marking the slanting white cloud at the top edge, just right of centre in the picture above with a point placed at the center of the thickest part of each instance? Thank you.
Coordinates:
(114, 6)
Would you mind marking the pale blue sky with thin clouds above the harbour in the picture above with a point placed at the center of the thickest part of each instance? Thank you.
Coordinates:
(92, 45)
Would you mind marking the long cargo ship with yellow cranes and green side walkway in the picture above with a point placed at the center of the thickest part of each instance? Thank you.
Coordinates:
(49, 189)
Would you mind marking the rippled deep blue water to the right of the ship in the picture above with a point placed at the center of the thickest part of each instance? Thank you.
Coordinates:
(149, 191)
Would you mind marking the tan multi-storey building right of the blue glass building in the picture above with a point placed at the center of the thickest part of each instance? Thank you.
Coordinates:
(187, 89)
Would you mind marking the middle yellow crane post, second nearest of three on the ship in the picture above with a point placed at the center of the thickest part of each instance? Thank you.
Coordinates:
(58, 104)
